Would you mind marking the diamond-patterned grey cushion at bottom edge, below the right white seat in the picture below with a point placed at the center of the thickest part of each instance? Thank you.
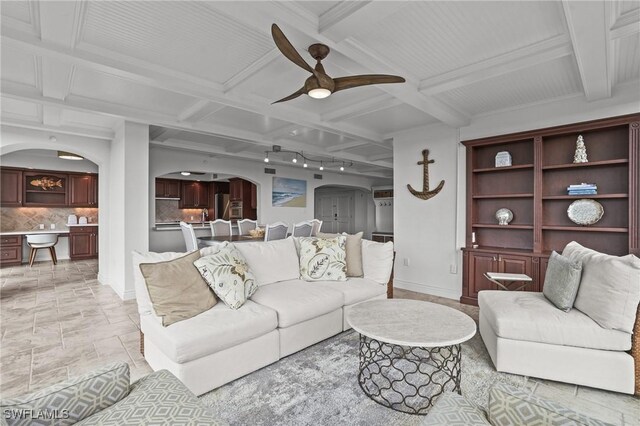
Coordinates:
(511, 406)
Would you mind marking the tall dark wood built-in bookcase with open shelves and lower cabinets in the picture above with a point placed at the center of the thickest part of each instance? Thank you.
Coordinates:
(535, 189)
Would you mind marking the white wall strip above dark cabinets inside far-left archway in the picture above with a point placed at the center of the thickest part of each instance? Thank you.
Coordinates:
(35, 159)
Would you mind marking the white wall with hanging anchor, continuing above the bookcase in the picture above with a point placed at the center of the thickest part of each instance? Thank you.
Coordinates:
(430, 233)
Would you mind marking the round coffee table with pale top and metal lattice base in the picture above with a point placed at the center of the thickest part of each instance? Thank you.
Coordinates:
(409, 351)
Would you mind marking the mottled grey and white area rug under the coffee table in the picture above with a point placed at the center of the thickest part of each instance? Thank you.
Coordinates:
(319, 386)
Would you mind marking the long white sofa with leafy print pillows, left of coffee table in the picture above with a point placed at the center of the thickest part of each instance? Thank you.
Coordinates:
(285, 315)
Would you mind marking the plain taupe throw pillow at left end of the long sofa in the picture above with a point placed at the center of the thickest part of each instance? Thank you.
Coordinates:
(176, 289)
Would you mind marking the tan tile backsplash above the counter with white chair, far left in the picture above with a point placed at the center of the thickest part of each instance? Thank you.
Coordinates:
(29, 218)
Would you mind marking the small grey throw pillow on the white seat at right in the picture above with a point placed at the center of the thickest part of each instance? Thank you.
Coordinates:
(561, 281)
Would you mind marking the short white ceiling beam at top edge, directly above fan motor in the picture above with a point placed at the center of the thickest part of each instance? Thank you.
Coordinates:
(348, 18)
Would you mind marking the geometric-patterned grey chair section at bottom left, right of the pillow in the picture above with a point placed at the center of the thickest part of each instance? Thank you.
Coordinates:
(157, 399)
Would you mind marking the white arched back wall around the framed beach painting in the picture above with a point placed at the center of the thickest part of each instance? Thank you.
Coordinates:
(163, 161)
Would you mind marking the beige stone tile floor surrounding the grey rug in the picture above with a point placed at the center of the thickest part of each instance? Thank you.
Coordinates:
(58, 321)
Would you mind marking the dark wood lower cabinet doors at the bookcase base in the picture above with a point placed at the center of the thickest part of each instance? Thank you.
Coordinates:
(478, 263)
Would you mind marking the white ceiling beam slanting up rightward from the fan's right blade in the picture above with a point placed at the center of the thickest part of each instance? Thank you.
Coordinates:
(544, 51)
